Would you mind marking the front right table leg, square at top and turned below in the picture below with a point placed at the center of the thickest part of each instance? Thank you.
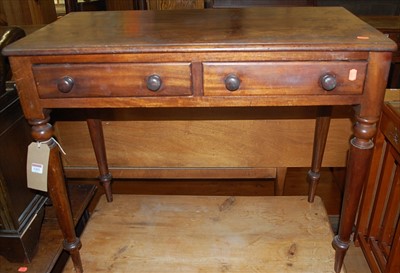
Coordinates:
(361, 148)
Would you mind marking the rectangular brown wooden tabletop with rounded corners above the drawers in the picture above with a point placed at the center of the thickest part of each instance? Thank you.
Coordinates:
(277, 28)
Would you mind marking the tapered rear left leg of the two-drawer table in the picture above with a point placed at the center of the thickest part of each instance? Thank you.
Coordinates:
(97, 137)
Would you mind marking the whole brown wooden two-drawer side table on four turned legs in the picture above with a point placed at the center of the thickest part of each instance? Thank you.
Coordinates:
(256, 57)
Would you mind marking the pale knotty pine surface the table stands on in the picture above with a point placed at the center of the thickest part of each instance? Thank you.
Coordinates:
(169, 233)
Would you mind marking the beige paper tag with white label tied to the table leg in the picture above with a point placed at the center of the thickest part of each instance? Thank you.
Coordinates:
(37, 165)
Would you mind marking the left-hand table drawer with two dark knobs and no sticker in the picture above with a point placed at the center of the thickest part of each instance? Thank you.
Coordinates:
(112, 80)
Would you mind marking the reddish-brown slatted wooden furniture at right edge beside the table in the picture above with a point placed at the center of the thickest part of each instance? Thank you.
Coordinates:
(378, 231)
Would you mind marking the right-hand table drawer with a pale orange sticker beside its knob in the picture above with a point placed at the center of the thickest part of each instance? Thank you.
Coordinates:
(277, 78)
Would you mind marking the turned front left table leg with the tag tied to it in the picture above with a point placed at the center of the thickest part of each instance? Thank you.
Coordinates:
(42, 131)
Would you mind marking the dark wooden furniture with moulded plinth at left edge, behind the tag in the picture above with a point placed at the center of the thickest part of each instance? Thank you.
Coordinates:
(22, 209)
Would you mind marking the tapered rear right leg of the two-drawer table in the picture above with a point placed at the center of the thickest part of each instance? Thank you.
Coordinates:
(320, 137)
